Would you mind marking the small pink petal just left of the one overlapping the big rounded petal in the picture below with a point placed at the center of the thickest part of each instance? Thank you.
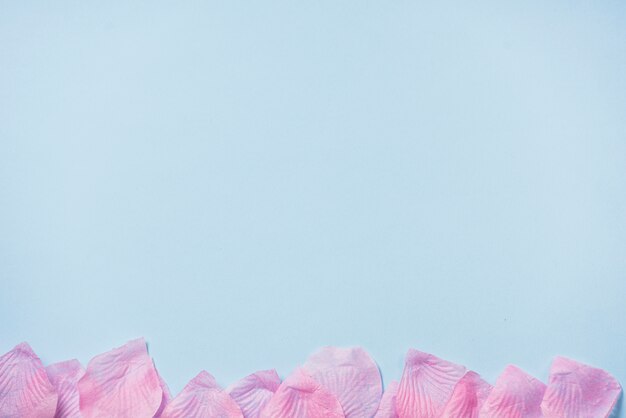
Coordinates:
(253, 392)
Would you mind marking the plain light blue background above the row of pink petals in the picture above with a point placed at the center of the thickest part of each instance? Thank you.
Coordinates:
(243, 183)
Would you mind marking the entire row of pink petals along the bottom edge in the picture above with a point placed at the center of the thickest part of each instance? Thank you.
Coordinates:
(332, 383)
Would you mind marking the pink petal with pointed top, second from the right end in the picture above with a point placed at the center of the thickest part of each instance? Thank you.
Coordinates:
(515, 395)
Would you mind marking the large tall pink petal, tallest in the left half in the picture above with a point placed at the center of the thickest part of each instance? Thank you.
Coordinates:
(121, 383)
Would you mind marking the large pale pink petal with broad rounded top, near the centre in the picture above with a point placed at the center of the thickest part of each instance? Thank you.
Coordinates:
(351, 375)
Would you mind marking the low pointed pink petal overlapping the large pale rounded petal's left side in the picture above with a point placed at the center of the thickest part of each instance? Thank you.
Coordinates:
(300, 396)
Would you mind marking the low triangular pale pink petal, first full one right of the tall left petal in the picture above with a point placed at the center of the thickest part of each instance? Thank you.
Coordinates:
(202, 398)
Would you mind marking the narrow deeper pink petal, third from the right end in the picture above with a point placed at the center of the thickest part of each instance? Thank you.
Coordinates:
(468, 397)
